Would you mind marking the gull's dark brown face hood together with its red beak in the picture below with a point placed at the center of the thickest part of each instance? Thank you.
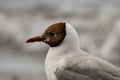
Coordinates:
(53, 35)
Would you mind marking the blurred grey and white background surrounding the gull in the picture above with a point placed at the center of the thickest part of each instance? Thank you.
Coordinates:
(96, 21)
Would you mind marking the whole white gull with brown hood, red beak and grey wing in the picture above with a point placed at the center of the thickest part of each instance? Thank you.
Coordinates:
(66, 61)
